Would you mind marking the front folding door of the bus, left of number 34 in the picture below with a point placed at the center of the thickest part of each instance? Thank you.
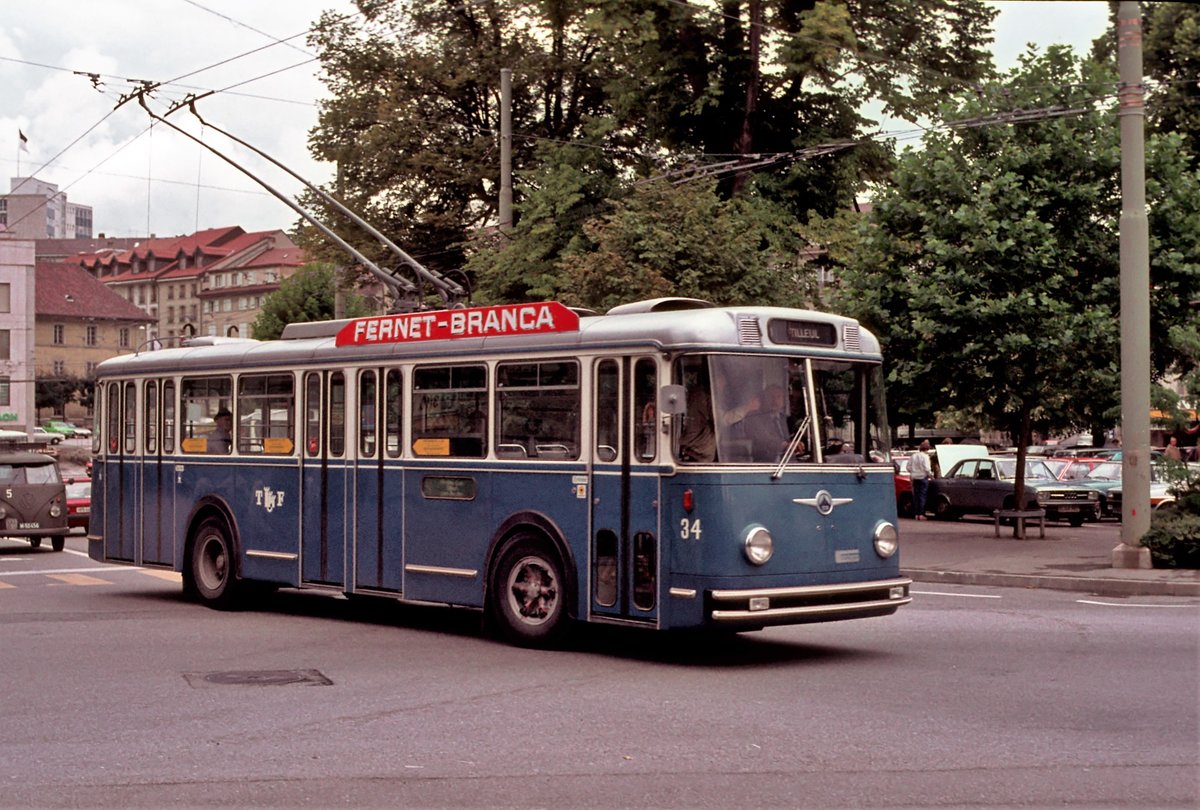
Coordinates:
(626, 551)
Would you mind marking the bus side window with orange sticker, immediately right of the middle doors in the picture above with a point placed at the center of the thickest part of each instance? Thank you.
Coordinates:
(451, 412)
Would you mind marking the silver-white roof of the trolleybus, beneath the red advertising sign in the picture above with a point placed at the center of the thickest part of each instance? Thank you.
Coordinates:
(638, 327)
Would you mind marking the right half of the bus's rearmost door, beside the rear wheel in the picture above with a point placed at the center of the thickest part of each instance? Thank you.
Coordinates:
(158, 485)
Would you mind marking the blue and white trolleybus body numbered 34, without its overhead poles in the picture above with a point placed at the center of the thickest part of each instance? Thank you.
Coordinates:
(667, 465)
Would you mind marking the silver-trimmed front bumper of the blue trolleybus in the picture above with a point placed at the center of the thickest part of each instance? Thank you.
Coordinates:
(760, 608)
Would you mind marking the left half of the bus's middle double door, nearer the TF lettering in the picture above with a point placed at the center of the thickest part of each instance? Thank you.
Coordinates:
(326, 495)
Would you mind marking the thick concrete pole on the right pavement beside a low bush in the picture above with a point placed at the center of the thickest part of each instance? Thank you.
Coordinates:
(1135, 297)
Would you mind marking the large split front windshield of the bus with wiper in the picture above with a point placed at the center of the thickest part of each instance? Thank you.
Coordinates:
(753, 409)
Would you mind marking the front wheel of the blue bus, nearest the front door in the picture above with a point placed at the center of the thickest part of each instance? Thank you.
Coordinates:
(529, 595)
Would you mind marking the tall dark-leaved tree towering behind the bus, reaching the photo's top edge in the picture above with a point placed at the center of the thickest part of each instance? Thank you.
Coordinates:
(650, 87)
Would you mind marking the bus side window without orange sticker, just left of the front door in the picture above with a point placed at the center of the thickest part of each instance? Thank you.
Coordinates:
(538, 411)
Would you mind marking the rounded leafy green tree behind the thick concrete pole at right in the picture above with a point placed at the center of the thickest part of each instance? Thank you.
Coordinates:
(991, 263)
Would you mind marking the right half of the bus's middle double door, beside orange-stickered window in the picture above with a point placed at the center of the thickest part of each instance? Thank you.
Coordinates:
(379, 524)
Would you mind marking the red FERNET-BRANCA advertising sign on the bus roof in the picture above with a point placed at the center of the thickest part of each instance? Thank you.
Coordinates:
(454, 325)
